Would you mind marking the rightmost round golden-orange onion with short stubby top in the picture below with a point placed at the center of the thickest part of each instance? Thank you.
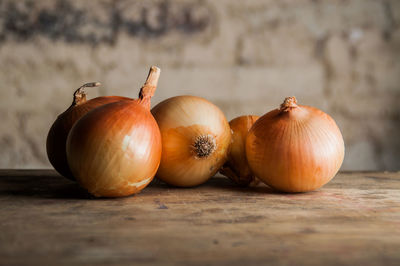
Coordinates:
(295, 148)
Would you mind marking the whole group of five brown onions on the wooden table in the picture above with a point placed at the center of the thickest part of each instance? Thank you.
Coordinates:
(113, 146)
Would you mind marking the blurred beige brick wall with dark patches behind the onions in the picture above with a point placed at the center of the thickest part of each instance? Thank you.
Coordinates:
(245, 56)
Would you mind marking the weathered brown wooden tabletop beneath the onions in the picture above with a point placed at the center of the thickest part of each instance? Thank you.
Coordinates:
(48, 220)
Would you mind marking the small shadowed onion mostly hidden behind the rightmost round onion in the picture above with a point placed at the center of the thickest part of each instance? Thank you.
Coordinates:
(237, 168)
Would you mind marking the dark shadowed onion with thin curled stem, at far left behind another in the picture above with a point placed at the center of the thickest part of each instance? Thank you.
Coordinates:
(57, 136)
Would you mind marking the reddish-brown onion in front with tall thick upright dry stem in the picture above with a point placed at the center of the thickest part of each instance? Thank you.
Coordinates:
(115, 149)
